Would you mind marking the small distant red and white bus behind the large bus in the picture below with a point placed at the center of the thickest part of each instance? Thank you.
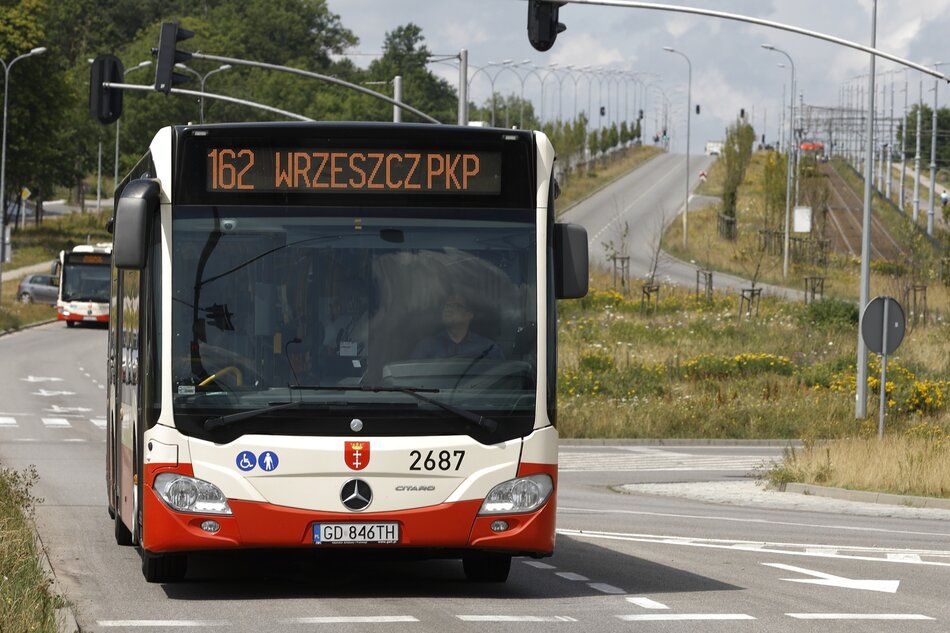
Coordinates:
(84, 284)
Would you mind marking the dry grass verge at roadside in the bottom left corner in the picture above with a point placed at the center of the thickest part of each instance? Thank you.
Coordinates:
(27, 602)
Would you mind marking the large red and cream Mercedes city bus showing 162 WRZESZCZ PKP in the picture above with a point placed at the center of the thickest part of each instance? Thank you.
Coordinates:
(286, 362)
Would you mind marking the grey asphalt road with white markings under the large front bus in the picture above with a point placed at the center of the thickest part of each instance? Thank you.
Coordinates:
(633, 552)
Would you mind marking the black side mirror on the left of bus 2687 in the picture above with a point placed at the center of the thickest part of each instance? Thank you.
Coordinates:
(132, 213)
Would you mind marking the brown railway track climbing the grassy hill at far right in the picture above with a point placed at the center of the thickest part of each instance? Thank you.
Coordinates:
(845, 219)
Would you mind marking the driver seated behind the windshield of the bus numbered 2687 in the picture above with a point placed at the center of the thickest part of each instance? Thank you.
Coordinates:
(457, 340)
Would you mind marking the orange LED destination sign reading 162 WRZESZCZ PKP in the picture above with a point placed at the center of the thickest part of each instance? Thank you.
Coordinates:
(301, 170)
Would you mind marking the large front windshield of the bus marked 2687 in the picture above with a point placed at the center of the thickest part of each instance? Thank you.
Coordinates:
(284, 315)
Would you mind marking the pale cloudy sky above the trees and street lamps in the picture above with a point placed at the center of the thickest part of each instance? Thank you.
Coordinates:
(731, 72)
